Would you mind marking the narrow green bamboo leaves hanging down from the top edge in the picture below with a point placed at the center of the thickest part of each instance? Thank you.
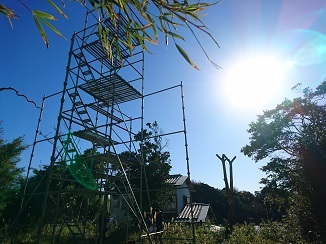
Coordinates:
(145, 19)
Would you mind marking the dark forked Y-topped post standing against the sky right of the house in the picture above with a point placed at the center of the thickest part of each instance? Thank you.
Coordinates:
(229, 189)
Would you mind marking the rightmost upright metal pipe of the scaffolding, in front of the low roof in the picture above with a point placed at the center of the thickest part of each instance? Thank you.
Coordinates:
(187, 159)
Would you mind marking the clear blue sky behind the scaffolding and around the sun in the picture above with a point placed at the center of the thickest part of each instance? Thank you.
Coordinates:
(258, 40)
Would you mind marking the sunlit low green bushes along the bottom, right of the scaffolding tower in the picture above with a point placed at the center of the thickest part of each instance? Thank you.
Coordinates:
(269, 233)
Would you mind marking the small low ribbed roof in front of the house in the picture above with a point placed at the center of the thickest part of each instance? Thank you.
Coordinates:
(200, 212)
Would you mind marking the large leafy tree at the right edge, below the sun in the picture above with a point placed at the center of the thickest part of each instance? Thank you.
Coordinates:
(294, 135)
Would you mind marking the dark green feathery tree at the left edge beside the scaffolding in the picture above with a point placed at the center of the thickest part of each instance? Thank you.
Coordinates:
(10, 173)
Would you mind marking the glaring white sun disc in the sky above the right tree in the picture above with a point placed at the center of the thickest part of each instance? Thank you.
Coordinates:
(253, 82)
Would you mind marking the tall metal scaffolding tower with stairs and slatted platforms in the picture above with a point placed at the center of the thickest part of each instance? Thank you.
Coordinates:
(101, 111)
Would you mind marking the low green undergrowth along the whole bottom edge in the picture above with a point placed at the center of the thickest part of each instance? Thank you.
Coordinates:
(269, 233)
